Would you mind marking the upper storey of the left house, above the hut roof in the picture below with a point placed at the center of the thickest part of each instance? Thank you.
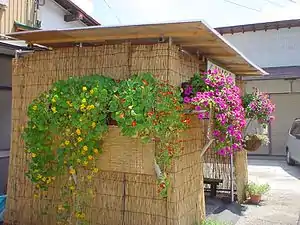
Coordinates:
(42, 14)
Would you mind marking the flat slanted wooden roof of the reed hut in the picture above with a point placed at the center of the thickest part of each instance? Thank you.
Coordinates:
(194, 37)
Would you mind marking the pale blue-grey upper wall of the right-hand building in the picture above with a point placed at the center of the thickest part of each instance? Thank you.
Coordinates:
(271, 48)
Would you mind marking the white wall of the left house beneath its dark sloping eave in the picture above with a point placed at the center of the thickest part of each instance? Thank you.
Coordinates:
(52, 17)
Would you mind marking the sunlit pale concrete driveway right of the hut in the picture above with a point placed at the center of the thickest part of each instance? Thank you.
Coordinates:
(282, 205)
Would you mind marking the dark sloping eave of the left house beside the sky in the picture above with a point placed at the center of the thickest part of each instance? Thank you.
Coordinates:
(72, 7)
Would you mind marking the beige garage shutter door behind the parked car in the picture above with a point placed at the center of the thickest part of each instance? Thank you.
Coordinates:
(287, 109)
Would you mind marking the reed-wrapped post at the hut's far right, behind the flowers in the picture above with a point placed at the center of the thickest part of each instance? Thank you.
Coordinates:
(240, 161)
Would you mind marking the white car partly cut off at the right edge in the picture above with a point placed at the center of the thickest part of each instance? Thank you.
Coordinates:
(293, 144)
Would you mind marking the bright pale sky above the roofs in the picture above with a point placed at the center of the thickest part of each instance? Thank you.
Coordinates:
(215, 12)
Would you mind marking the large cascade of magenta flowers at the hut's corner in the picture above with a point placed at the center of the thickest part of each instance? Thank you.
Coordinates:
(218, 92)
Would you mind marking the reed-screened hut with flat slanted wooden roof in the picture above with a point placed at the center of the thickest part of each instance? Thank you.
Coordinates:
(126, 186)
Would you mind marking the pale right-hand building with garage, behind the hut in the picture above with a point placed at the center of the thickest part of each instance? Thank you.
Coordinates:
(275, 47)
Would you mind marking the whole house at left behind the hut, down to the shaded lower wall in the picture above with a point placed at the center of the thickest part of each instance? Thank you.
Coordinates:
(20, 15)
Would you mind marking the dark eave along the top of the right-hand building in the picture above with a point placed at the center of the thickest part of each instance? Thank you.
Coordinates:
(259, 26)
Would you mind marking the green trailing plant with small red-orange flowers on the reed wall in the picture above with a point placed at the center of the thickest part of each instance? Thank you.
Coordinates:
(151, 110)
